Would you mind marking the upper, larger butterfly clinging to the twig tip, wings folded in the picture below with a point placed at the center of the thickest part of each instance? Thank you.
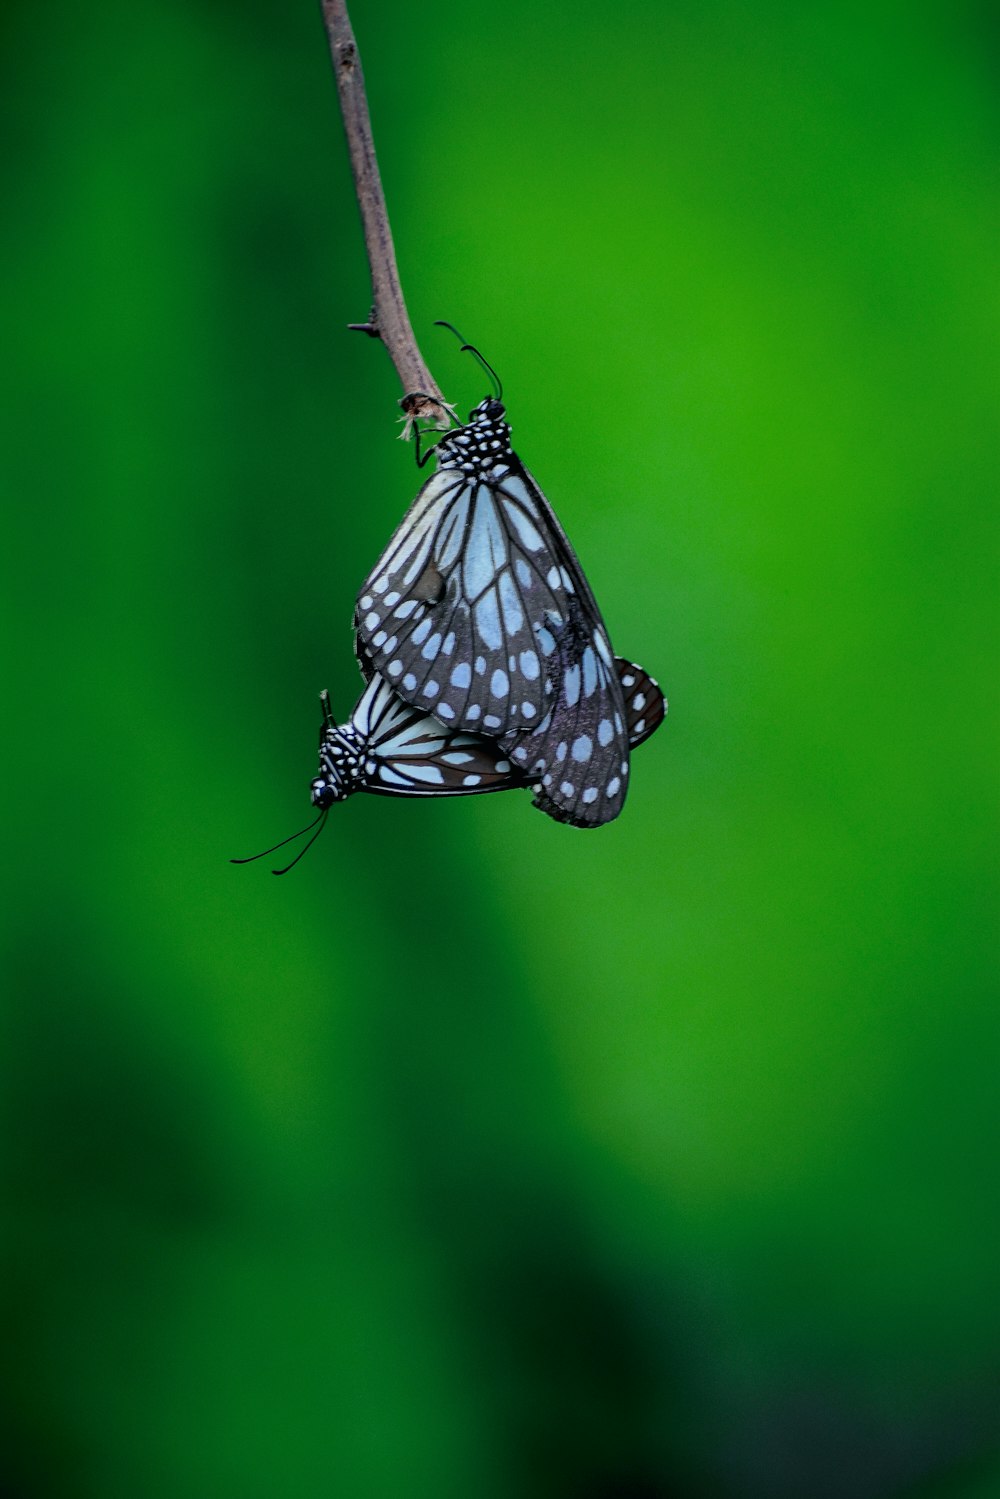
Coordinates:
(479, 611)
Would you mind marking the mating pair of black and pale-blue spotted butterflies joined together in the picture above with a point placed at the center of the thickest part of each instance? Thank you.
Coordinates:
(485, 654)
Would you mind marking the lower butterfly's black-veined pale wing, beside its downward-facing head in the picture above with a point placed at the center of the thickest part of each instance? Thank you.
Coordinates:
(409, 753)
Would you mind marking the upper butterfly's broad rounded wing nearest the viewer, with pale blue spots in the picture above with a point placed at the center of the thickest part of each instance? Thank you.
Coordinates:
(455, 611)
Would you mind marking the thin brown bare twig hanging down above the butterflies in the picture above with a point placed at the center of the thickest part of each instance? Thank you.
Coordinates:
(389, 319)
